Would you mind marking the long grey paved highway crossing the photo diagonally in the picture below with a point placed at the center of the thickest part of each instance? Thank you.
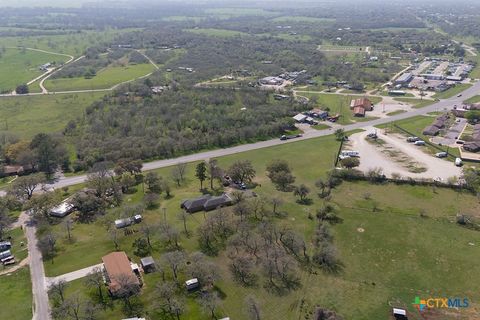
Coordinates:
(439, 106)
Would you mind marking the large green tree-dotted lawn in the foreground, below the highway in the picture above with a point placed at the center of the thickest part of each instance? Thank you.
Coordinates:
(373, 217)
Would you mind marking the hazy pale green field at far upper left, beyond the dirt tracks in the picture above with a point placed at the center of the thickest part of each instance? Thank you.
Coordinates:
(74, 43)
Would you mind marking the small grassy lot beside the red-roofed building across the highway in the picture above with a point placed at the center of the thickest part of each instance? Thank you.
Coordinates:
(338, 104)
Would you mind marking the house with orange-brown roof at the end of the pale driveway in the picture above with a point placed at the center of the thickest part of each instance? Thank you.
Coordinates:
(119, 271)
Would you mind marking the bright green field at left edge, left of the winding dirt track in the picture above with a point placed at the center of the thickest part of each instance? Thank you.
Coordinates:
(20, 66)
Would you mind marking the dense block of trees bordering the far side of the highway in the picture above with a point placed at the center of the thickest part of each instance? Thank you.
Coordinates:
(176, 123)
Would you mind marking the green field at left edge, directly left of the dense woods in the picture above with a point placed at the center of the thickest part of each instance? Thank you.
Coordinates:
(27, 116)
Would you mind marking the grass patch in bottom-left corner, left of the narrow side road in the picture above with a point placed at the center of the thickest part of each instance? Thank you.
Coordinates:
(16, 295)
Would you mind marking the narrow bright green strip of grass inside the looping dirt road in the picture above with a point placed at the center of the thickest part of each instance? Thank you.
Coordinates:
(105, 78)
